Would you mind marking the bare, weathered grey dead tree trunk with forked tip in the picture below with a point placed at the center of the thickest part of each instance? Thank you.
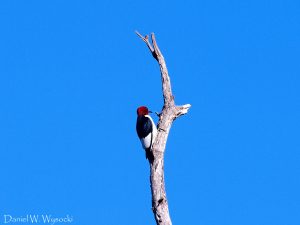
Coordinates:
(169, 113)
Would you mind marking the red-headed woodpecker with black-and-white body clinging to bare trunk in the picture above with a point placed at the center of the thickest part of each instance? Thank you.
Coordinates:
(146, 130)
